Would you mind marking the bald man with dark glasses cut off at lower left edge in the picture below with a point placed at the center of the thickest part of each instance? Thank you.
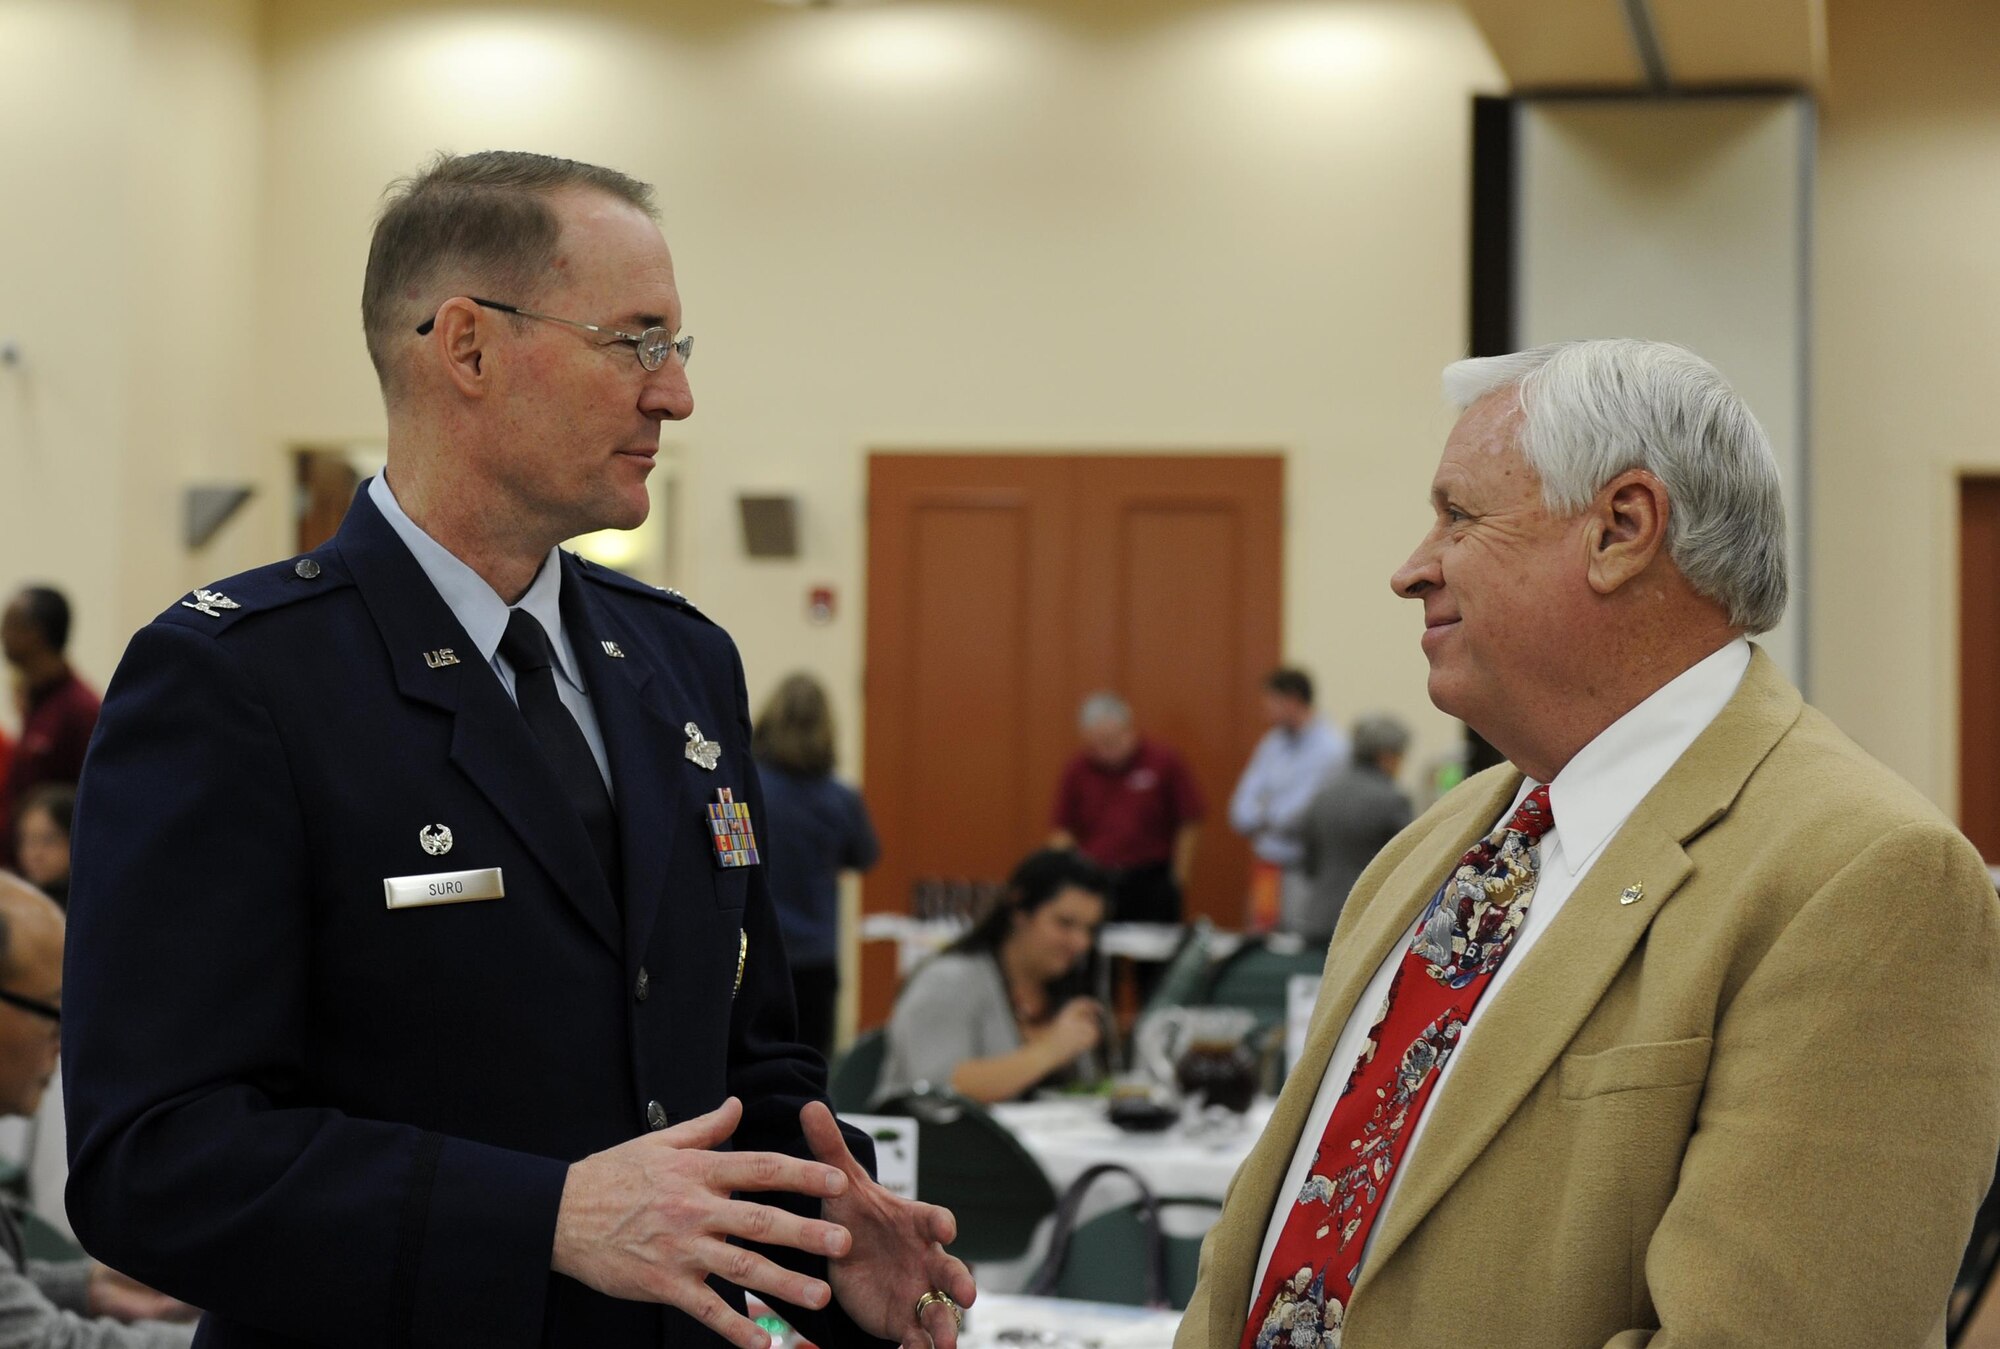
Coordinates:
(57, 1304)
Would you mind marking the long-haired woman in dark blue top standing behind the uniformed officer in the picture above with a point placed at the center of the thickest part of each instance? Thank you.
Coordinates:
(819, 828)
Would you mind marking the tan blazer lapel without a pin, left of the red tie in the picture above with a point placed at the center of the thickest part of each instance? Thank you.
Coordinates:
(1381, 924)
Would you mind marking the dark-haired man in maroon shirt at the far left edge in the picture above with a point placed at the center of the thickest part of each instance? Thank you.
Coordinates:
(61, 710)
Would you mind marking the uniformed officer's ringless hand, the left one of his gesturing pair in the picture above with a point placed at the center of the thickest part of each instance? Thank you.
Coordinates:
(651, 1220)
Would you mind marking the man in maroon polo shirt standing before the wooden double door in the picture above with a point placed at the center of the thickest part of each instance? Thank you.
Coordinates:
(1129, 806)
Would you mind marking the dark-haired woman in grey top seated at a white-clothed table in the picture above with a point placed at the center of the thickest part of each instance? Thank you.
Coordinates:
(1003, 1010)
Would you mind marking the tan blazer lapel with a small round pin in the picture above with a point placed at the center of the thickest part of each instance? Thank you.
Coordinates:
(1561, 982)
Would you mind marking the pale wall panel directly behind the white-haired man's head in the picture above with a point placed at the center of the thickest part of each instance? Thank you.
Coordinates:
(1685, 223)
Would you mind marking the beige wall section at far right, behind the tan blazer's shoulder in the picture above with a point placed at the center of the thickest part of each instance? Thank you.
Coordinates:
(1907, 357)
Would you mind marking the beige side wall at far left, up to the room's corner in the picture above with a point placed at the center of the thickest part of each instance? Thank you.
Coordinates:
(127, 223)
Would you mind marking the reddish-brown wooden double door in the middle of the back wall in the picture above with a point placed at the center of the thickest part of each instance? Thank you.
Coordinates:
(1007, 587)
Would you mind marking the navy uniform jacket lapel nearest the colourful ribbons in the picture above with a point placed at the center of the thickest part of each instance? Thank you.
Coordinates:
(645, 746)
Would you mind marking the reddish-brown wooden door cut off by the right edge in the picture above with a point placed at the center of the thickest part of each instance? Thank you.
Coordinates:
(1979, 663)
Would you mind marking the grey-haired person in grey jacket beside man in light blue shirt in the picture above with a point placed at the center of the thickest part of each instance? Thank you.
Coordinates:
(1353, 818)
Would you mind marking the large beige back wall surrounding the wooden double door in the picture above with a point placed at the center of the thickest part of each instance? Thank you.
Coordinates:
(1029, 227)
